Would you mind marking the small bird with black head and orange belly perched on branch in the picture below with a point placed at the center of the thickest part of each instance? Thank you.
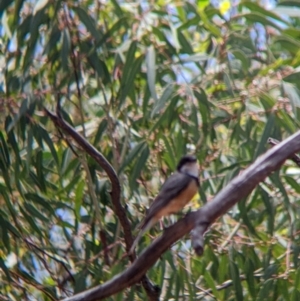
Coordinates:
(176, 192)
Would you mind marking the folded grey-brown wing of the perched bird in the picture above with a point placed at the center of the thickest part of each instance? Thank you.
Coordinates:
(171, 188)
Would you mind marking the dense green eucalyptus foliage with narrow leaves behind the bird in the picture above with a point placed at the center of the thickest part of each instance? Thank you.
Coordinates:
(145, 83)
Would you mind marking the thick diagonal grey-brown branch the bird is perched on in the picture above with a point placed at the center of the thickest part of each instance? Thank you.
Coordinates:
(236, 190)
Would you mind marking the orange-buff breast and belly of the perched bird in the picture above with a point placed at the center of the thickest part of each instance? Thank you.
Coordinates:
(177, 203)
